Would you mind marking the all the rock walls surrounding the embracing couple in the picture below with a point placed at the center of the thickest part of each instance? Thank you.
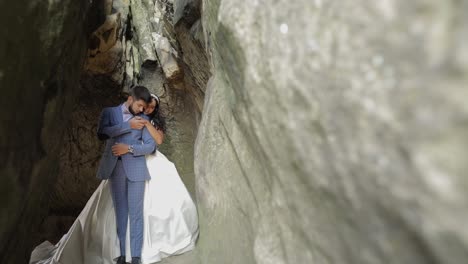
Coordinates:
(306, 131)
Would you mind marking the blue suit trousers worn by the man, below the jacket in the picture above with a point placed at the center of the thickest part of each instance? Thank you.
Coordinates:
(128, 203)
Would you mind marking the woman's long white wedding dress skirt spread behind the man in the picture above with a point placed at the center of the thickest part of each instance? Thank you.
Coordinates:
(170, 223)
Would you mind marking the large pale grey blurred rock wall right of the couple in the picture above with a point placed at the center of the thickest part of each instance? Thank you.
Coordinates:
(334, 132)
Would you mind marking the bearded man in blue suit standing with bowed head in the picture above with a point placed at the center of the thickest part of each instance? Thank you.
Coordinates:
(124, 163)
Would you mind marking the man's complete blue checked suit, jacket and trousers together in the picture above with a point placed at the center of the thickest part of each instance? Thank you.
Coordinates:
(127, 175)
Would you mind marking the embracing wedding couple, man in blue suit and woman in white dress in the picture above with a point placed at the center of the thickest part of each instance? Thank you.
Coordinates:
(141, 212)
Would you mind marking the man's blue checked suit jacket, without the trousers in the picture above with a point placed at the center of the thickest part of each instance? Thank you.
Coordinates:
(113, 129)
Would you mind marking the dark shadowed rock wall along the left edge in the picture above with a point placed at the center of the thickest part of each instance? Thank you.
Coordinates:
(42, 49)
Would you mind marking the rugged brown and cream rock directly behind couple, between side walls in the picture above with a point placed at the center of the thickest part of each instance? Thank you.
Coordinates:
(116, 60)
